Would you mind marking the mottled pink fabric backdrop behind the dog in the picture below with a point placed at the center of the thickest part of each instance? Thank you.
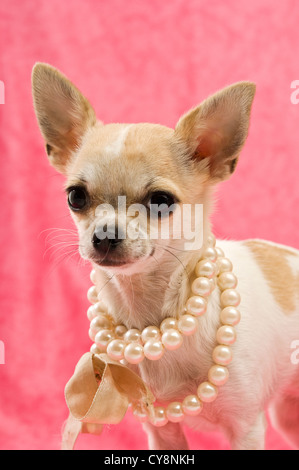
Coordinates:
(136, 61)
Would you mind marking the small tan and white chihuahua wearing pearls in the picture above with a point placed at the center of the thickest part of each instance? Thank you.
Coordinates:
(145, 280)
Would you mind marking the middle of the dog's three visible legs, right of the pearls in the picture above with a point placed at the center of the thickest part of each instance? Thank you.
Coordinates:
(251, 437)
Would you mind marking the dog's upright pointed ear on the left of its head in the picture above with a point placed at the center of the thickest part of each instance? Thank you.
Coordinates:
(63, 113)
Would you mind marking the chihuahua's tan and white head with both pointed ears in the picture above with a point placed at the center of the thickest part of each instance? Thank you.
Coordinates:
(132, 187)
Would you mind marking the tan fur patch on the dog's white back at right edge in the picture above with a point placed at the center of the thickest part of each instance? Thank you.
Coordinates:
(273, 261)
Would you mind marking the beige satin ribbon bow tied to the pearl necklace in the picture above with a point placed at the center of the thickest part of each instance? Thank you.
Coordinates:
(99, 393)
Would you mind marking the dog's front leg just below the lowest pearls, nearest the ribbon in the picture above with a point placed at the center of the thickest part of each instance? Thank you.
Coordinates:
(168, 437)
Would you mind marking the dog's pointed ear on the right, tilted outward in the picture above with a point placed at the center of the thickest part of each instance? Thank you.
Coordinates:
(217, 129)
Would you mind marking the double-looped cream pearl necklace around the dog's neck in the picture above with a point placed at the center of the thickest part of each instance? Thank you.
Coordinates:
(133, 346)
